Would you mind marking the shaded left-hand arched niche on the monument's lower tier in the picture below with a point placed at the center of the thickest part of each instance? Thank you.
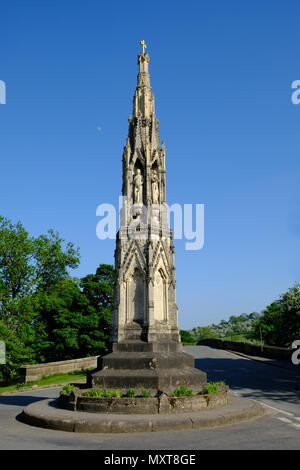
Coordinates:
(137, 297)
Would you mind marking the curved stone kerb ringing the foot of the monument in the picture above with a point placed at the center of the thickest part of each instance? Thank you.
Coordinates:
(46, 414)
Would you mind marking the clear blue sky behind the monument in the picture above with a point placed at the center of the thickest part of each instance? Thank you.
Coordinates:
(221, 72)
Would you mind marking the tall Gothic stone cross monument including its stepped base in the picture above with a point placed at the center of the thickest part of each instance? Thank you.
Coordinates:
(147, 351)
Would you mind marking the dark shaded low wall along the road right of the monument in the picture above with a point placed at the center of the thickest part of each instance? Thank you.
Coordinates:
(251, 349)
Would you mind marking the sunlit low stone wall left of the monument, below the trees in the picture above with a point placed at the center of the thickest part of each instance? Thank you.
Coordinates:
(32, 372)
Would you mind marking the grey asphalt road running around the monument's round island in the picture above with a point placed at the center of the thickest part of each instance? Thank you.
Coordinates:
(275, 387)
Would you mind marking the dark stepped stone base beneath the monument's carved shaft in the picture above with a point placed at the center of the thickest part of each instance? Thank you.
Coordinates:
(156, 367)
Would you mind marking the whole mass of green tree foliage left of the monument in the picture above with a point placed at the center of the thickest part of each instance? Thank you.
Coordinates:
(45, 315)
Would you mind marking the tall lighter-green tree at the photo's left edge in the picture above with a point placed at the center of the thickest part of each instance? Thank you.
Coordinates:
(28, 266)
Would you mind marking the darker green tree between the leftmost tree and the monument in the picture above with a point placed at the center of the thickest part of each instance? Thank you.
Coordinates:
(76, 315)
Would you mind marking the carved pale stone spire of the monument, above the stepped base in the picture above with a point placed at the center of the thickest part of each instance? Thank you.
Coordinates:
(145, 253)
